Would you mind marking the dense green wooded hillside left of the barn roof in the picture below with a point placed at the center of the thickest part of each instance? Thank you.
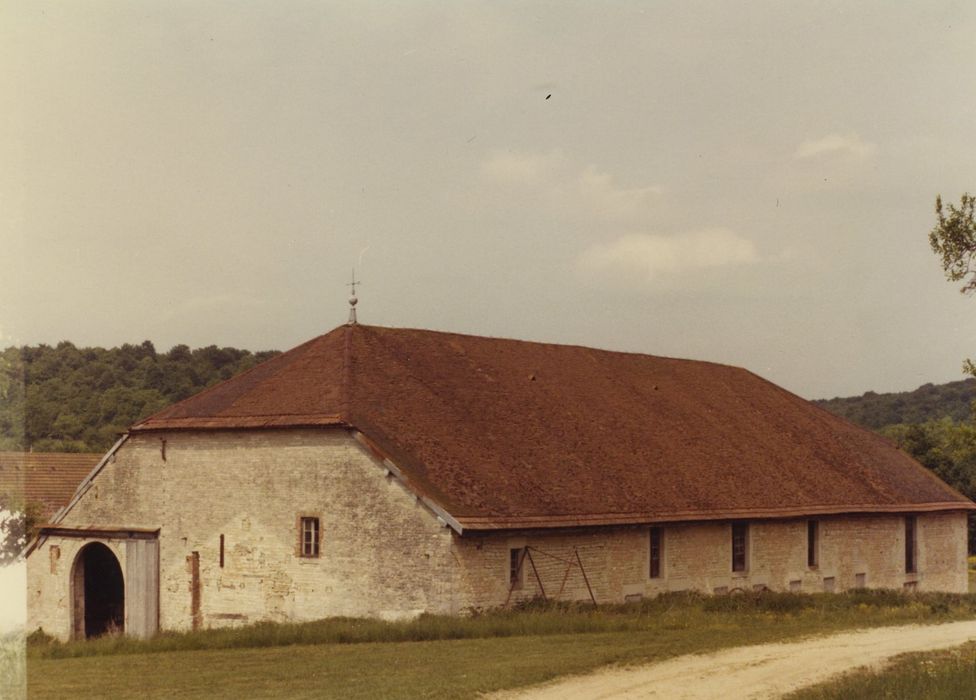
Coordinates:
(70, 399)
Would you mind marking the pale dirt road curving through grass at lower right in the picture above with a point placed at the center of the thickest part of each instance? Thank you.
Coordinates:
(763, 671)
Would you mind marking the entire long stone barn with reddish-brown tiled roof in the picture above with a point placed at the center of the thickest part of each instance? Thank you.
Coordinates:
(388, 472)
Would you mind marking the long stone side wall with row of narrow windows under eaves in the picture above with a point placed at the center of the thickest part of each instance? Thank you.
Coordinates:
(853, 551)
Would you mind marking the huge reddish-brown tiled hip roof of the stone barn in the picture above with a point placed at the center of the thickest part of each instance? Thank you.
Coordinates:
(505, 433)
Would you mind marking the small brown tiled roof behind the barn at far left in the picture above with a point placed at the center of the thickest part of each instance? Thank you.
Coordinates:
(47, 478)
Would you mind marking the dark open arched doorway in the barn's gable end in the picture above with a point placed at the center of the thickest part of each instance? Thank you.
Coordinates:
(98, 592)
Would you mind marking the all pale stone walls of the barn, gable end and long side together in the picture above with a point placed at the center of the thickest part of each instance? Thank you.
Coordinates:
(384, 554)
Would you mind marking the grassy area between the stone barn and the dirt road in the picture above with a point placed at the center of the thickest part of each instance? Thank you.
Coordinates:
(452, 657)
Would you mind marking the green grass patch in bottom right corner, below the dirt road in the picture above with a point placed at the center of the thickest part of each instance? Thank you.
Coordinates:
(939, 675)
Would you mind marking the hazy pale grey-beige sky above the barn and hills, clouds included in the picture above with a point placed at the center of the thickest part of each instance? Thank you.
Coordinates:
(749, 183)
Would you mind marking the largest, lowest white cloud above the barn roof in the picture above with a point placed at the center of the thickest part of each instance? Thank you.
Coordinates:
(653, 256)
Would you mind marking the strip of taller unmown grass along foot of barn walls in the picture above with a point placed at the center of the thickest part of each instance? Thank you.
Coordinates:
(667, 611)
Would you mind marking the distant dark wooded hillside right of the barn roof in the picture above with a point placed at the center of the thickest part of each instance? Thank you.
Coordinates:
(930, 402)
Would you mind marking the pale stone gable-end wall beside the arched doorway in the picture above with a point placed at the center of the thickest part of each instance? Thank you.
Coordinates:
(383, 554)
